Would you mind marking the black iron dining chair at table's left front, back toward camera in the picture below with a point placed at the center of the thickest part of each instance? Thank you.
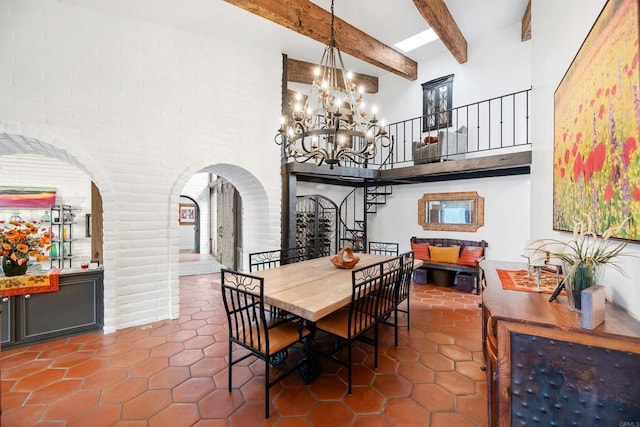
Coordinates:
(268, 339)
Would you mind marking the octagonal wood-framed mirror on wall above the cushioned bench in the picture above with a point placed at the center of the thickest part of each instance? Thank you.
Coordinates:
(451, 211)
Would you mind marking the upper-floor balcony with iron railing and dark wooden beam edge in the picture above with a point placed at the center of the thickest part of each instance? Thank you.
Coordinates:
(481, 139)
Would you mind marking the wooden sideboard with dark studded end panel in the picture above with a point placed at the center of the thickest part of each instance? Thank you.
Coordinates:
(544, 369)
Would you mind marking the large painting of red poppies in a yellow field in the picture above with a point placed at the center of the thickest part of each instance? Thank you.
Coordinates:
(596, 161)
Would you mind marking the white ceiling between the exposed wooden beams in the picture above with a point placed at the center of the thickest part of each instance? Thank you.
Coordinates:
(390, 21)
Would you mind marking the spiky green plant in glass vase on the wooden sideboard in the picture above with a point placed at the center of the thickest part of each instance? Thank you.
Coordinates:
(584, 256)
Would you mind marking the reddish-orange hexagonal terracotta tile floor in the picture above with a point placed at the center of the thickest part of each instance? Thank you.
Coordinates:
(173, 373)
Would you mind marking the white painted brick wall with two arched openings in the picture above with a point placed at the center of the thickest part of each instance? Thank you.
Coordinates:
(141, 108)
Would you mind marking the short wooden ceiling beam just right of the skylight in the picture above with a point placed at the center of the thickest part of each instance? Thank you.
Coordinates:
(437, 15)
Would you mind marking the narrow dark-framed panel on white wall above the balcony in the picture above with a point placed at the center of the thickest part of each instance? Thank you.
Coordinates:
(436, 103)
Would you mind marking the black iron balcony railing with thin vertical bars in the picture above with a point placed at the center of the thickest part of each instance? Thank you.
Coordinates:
(493, 126)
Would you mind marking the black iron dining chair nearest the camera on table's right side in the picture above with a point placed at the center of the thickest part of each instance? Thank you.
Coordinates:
(351, 322)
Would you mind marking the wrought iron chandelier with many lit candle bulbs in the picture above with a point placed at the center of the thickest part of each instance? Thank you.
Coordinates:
(332, 125)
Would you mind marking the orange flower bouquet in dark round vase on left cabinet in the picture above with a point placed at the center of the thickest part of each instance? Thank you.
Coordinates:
(20, 241)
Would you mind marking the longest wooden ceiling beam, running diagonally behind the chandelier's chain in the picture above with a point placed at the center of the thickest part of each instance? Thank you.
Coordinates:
(306, 18)
